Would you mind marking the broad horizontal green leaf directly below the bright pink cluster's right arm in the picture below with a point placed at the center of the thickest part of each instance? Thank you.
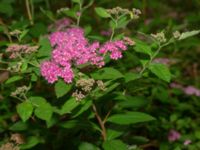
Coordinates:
(107, 73)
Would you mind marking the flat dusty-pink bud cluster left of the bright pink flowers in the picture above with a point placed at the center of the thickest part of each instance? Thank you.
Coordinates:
(17, 50)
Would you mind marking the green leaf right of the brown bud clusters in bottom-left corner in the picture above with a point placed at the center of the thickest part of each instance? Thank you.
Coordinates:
(30, 142)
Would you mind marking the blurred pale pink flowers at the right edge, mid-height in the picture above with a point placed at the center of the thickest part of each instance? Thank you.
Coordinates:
(189, 90)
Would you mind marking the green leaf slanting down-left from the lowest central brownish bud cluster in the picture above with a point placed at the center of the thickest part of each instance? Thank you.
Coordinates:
(69, 106)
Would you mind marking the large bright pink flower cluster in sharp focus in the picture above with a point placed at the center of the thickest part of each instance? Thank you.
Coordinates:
(72, 48)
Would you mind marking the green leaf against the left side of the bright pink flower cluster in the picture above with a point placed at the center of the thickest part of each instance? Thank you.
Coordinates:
(45, 48)
